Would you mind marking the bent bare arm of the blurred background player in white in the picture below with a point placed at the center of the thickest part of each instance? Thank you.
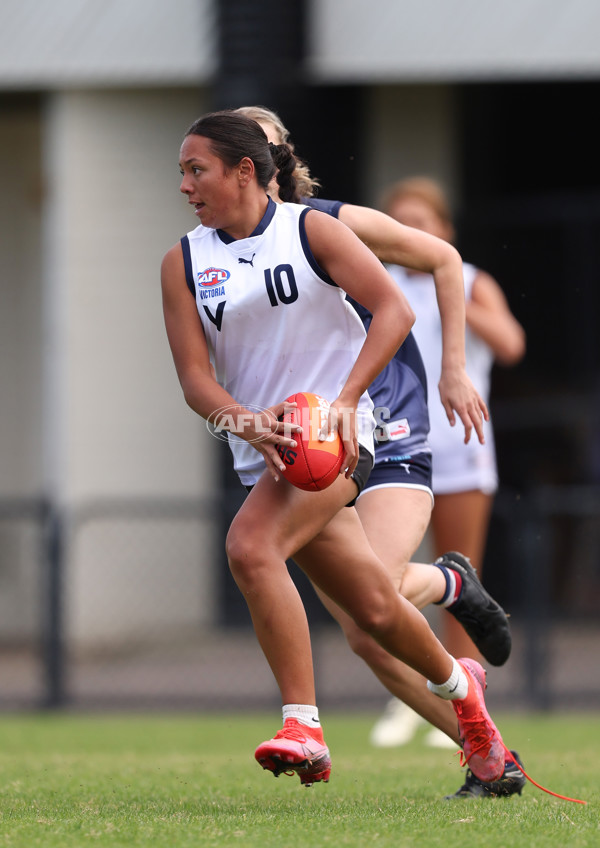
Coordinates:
(489, 316)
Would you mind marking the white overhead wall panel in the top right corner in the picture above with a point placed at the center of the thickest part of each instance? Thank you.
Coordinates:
(377, 41)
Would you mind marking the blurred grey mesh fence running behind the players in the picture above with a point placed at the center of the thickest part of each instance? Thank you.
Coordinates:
(124, 604)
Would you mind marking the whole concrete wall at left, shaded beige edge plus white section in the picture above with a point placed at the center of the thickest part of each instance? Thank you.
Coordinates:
(91, 408)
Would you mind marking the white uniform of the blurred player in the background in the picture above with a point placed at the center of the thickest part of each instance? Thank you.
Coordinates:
(456, 467)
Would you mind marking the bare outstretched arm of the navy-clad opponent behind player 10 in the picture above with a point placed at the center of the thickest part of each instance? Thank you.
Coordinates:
(398, 244)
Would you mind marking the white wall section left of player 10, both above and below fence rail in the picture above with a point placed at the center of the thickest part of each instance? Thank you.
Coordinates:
(116, 423)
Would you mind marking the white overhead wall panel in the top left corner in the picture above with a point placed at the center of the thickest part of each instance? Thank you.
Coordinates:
(70, 43)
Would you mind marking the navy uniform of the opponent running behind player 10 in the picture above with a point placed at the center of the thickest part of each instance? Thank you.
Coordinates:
(399, 395)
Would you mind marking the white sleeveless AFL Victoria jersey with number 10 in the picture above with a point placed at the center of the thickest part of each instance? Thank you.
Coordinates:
(275, 322)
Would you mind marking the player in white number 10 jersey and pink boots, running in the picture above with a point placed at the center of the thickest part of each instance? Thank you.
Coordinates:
(276, 321)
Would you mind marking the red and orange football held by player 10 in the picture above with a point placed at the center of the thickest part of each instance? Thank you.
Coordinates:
(312, 465)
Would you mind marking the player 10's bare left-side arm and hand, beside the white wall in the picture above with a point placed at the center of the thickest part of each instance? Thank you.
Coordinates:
(192, 362)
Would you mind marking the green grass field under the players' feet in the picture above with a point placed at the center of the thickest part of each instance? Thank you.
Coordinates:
(178, 781)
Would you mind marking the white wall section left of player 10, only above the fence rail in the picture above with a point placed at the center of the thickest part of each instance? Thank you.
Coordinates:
(115, 418)
